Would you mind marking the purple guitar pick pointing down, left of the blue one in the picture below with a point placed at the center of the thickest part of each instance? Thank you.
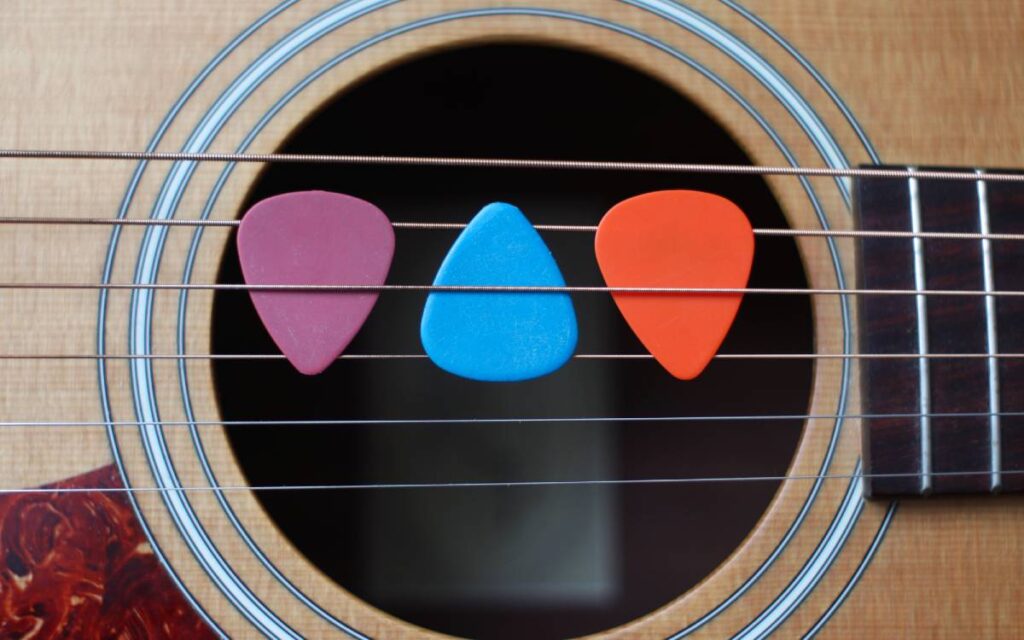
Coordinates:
(315, 238)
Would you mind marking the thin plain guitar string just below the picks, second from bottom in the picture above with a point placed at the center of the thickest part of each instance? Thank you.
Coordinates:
(487, 421)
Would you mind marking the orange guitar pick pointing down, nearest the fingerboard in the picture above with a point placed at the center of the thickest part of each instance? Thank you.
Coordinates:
(677, 239)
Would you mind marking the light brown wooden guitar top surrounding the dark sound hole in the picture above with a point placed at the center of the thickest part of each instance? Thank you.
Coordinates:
(930, 83)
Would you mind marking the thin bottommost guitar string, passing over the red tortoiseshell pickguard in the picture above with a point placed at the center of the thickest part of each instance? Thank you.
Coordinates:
(495, 484)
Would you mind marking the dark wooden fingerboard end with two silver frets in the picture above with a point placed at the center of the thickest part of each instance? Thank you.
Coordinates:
(942, 425)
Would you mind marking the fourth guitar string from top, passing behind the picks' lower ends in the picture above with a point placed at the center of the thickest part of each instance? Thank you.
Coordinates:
(584, 357)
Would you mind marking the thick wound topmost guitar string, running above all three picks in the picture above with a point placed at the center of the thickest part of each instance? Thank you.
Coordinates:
(511, 163)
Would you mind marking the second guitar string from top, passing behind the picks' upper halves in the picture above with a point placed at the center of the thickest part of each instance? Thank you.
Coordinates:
(589, 229)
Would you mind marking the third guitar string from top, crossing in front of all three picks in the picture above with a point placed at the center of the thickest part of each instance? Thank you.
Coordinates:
(503, 289)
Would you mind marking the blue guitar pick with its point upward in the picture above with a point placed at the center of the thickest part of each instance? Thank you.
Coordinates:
(499, 337)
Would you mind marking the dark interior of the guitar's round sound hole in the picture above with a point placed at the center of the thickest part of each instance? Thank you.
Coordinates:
(517, 563)
